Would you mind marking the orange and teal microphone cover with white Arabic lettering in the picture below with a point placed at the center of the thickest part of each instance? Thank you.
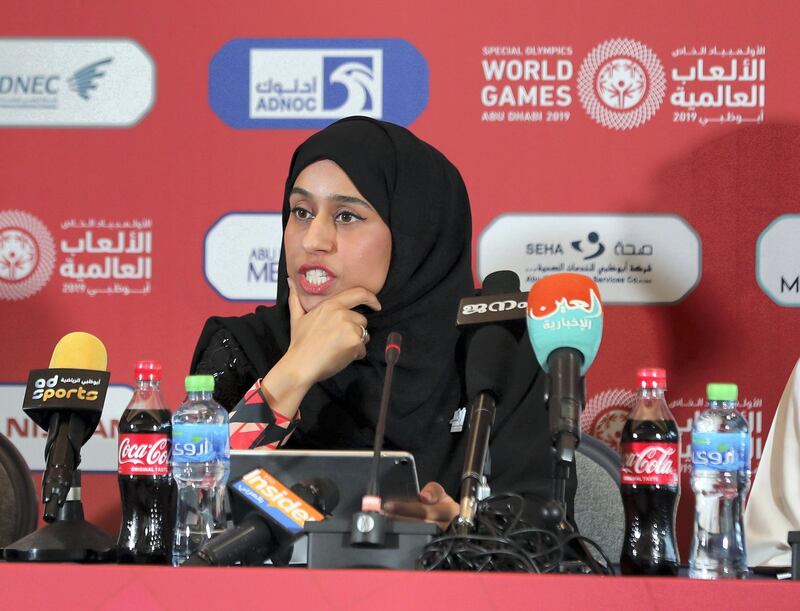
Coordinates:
(564, 311)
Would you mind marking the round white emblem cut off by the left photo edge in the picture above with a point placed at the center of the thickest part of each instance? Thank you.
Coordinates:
(27, 255)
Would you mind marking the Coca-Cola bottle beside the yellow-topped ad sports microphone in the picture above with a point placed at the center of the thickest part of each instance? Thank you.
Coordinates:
(145, 479)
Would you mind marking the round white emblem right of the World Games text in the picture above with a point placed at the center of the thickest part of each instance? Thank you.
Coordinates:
(621, 83)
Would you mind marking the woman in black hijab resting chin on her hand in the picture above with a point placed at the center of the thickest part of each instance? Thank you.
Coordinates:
(377, 238)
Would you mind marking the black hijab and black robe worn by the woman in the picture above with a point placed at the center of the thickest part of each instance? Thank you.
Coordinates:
(421, 197)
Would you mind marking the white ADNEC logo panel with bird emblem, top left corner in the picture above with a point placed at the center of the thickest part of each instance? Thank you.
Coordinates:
(74, 82)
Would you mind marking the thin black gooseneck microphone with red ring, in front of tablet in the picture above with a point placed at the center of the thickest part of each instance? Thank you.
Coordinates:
(369, 524)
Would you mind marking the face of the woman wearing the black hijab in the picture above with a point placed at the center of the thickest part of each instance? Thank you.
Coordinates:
(335, 239)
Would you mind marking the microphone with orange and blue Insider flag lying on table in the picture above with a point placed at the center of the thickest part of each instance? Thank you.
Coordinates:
(268, 518)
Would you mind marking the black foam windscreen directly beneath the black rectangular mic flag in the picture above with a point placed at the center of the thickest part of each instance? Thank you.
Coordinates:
(487, 360)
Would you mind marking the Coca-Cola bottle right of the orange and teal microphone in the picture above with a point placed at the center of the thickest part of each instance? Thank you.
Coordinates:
(650, 452)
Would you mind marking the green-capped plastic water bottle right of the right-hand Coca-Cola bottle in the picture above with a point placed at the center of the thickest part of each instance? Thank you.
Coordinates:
(720, 479)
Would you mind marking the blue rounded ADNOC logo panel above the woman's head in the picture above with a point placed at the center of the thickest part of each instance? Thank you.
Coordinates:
(309, 83)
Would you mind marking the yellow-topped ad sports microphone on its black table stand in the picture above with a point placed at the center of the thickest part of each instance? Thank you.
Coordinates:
(66, 400)
